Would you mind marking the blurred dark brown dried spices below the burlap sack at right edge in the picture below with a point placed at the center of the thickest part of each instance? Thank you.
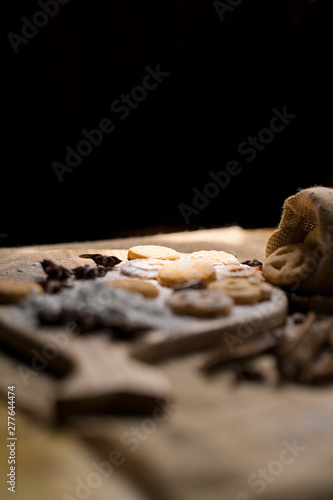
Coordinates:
(302, 350)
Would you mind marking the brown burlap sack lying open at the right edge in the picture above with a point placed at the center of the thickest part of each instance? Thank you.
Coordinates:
(307, 220)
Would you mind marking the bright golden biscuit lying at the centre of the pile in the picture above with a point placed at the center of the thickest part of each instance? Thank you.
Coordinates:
(187, 269)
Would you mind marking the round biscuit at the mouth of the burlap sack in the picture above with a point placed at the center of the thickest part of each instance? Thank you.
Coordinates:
(288, 265)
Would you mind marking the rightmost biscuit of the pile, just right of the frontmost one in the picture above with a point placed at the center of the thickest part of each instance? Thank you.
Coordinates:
(241, 290)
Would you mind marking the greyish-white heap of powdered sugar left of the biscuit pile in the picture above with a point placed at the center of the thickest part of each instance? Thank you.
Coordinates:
(95, 303)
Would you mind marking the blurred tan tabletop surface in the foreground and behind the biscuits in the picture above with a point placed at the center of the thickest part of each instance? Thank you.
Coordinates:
(208, 443)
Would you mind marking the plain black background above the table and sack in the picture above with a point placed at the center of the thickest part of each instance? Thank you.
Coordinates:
(225, 79)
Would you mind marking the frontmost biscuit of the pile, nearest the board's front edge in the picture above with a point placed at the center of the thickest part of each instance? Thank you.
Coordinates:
(200, 303)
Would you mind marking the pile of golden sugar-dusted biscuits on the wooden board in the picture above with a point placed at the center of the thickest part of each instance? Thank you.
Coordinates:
(203, 283)
